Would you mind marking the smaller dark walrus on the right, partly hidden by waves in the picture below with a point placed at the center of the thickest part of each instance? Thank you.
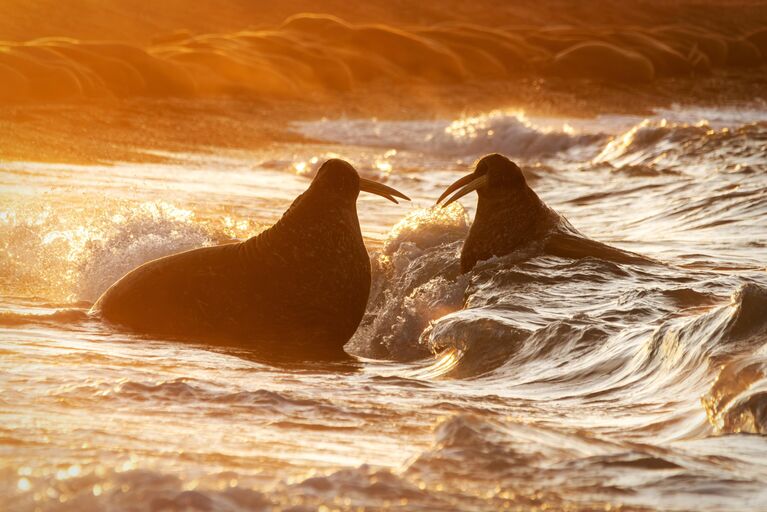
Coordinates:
(511, 216)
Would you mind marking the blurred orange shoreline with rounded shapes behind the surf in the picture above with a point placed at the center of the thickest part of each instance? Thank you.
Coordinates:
(78, 78)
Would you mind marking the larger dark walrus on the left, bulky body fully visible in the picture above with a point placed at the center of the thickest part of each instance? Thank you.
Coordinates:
(297, 290)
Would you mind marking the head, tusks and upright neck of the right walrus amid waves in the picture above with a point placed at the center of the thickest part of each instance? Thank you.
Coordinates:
(509, 213)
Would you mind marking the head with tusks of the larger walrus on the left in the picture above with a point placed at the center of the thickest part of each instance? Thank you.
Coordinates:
(337, 180)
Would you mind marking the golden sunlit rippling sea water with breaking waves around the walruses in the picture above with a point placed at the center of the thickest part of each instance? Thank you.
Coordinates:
(543, 382)
